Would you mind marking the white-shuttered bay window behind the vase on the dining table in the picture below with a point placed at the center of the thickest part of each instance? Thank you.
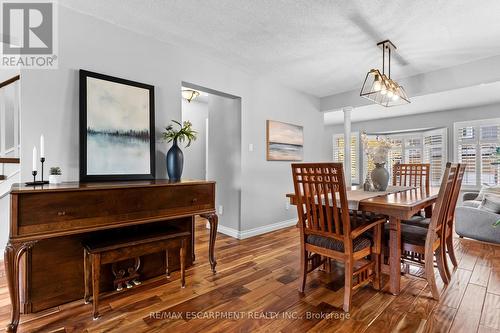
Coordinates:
(417, 147)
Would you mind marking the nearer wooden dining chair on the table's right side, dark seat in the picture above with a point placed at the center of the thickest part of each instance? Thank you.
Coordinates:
(421, 245)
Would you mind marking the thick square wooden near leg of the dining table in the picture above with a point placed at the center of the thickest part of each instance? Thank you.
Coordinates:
(395, 255)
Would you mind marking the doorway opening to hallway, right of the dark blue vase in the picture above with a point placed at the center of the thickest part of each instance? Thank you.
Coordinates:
(216, 153)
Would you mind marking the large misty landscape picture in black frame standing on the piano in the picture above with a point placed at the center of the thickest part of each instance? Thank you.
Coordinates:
(117, 139)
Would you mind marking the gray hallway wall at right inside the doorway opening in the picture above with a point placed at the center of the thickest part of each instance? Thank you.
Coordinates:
(224, 156)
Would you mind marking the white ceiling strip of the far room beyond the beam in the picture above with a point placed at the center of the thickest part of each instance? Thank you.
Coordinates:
(447, 100)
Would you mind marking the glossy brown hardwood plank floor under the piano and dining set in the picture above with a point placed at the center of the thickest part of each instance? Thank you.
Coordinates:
(255, 289)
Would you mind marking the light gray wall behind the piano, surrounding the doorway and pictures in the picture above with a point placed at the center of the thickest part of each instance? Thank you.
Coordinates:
(50, 106)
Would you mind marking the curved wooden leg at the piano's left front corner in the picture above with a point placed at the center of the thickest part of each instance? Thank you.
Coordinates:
(12, 256)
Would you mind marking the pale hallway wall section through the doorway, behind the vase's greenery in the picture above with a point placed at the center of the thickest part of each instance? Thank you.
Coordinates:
(195, 156)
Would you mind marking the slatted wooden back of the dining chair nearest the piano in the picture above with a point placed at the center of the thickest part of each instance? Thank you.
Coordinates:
(321, 199)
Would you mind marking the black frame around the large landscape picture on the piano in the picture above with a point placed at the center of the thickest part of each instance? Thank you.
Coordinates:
(84, 176)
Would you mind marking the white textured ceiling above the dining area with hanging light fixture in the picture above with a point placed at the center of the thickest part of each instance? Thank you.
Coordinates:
(317, 46)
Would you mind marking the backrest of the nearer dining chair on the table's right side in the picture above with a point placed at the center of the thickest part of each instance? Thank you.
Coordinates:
(440, 211)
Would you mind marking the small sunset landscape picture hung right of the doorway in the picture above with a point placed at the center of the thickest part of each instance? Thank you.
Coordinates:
(285, 141)
